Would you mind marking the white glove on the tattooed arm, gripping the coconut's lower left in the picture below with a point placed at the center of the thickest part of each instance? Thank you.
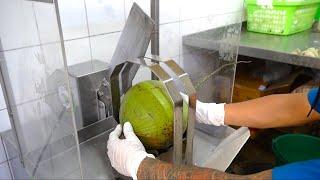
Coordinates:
(126, 154)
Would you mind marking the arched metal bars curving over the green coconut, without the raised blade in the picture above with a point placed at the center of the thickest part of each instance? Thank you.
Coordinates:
(174, 92)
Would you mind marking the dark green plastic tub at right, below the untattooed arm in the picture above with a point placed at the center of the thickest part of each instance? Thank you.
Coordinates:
(291, 148)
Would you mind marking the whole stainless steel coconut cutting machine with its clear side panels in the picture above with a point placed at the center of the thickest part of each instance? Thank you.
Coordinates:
(62, 129)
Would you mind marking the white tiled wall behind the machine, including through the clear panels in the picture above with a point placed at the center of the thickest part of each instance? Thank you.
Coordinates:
(31, 50)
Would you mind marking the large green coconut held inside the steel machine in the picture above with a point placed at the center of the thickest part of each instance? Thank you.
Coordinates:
(147, 106)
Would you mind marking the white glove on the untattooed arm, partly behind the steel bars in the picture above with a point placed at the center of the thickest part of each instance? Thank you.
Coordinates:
(208, 113)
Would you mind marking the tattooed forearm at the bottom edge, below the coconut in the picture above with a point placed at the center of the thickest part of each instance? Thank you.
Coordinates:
(155, 169)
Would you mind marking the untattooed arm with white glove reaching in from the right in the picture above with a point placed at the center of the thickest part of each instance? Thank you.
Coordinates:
(271, 111)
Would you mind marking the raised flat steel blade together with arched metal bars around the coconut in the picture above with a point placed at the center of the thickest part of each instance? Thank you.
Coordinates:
(129, 56)
